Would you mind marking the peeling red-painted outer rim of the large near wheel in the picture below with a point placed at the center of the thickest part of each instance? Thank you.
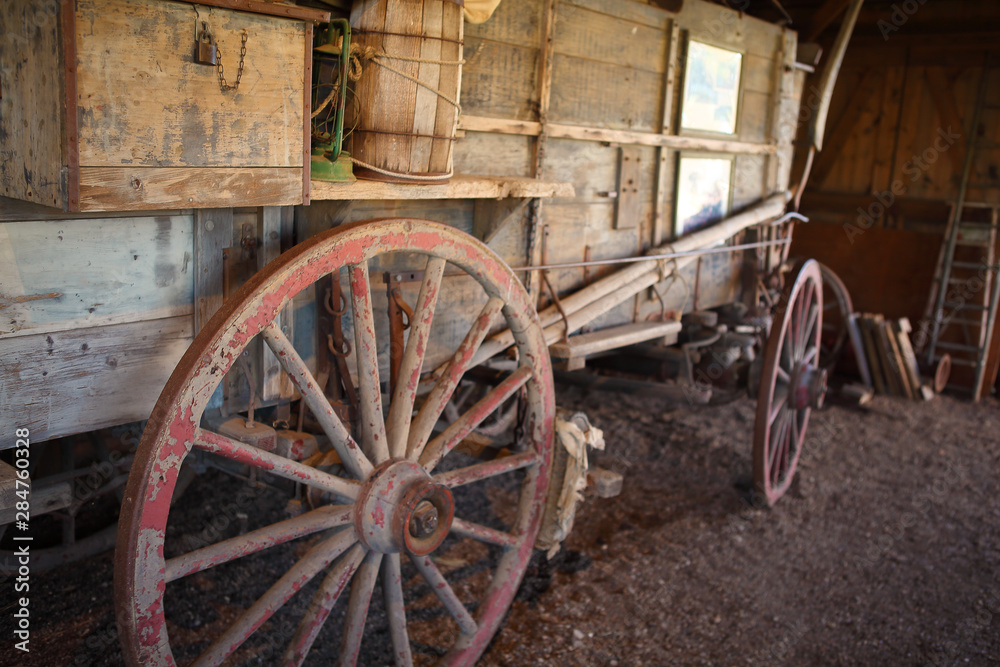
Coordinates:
(140, 573)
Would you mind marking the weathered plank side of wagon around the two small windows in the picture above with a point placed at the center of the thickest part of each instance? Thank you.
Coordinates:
(610, 69)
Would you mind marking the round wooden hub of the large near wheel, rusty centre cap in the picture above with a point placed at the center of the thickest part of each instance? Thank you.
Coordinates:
(402, 509)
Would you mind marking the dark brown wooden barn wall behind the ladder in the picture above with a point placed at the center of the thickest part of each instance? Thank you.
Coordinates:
(900, 123)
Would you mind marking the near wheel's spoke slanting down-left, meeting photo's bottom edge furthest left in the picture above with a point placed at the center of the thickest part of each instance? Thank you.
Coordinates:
(317, 558)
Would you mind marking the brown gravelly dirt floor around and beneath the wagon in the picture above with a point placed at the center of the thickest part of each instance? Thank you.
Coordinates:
(886, 551)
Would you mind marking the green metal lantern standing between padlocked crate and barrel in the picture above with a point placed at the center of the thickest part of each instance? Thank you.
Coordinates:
(332, 48)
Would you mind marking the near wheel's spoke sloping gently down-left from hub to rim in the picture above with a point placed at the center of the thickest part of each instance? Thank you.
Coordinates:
(328, 516)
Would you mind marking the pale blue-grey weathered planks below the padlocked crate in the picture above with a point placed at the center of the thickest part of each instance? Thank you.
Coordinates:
(95, 313)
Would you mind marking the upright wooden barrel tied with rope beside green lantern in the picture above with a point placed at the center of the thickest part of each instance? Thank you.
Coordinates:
(405, 129)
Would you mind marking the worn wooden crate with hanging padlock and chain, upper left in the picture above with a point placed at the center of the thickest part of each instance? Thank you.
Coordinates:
(103, 108)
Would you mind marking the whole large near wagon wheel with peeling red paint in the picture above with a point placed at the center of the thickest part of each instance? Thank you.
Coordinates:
(391, 502)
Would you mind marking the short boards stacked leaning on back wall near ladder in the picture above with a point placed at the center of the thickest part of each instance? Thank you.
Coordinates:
(889, 358)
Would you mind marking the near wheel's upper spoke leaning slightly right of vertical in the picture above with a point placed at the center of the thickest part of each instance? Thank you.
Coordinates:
(405, 391)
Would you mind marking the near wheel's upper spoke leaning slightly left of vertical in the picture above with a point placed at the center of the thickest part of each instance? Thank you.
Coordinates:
(366, 349)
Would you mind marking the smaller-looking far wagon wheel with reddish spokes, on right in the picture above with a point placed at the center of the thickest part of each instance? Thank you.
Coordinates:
(791, 384)
